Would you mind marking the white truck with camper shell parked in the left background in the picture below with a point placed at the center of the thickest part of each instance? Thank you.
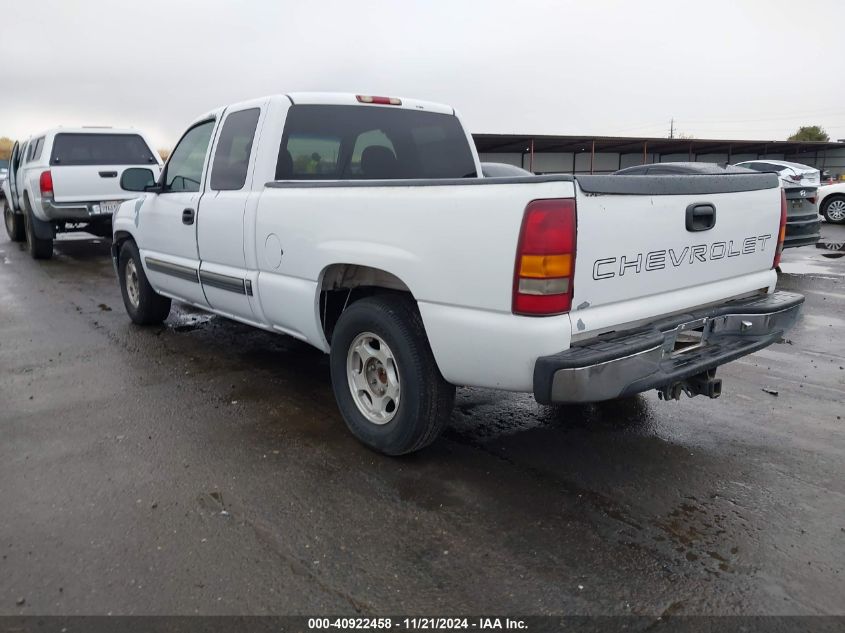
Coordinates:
(68, 179)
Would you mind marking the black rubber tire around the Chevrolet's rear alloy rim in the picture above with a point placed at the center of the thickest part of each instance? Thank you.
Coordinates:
(425, 399)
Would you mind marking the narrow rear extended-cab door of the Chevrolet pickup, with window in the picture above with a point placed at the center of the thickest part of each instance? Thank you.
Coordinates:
(220, 224)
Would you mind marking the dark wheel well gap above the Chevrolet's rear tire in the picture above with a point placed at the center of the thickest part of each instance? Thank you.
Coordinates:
(344, 284)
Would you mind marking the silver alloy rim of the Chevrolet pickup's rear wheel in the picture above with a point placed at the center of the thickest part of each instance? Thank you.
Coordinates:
(373, 377)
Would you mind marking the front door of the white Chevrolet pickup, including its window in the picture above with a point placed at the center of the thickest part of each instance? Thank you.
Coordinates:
(167, 220)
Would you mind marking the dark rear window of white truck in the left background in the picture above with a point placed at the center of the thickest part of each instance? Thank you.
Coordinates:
(71, 148)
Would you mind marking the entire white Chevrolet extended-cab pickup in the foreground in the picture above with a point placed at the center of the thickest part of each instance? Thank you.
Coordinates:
(361, 225)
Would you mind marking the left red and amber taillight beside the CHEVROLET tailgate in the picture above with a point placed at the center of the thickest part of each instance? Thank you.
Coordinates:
(545, 258)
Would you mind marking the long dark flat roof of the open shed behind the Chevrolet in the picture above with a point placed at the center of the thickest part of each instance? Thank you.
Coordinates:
(518, 143)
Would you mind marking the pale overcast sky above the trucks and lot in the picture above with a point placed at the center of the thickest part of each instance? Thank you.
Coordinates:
(752, 69)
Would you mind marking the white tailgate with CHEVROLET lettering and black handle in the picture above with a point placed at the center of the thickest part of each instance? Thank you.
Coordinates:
(652, 245)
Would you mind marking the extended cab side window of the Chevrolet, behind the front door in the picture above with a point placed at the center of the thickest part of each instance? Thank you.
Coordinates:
(231, 157)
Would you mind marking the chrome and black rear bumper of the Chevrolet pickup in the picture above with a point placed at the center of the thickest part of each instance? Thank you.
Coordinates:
(665, 353)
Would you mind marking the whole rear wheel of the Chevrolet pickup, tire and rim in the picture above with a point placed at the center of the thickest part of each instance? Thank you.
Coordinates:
(386, 383)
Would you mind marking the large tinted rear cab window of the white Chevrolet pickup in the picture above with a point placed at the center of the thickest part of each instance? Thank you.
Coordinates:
(339, 142)
